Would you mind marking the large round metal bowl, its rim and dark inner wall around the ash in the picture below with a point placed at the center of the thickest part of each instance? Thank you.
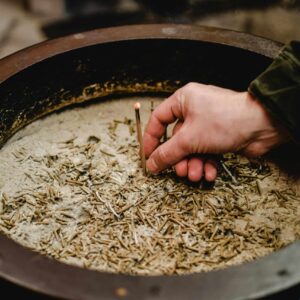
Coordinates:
(128, 60)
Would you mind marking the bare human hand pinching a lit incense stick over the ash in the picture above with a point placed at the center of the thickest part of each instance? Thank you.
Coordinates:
(210, 120)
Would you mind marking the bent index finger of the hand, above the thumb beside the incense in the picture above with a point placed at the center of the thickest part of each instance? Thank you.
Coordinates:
(166, 113)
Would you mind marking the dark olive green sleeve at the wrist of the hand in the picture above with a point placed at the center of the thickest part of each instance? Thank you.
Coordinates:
(278, 88)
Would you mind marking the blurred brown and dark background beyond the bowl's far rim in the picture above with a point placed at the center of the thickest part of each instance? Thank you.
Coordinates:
(26, 22)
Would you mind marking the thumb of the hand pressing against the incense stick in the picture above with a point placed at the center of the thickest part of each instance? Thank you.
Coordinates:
(169, 153)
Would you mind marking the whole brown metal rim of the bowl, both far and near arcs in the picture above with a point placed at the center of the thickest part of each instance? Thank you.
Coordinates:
(268, 275)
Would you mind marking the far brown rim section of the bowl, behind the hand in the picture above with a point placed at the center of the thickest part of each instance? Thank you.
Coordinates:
(20, 60)
